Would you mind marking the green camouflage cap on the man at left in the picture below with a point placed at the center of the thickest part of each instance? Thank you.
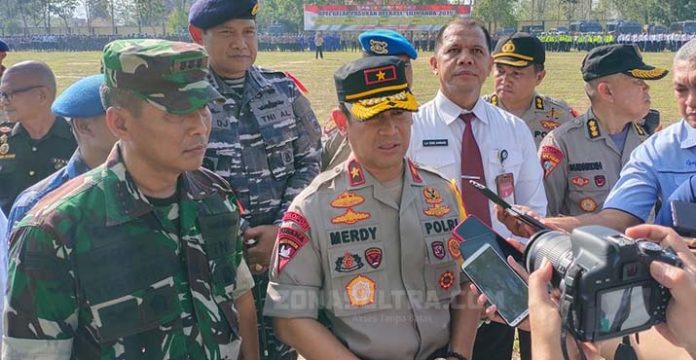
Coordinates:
(169, 75)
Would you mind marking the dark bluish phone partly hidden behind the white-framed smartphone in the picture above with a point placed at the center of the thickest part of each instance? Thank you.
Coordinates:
(473, 233)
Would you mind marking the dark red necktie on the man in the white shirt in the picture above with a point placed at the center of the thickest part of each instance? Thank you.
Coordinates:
(472, 168)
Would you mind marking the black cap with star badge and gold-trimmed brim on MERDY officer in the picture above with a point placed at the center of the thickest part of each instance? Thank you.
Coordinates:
(373, 84)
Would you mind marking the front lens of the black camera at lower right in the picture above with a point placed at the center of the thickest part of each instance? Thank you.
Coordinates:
(552, 245)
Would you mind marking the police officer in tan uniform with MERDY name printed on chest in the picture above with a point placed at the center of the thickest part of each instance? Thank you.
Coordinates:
(369, 243)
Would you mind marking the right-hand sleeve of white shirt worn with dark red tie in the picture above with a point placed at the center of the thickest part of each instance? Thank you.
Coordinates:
(529, 188)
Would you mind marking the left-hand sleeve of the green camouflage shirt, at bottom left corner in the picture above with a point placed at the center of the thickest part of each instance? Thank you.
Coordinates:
(41, 312)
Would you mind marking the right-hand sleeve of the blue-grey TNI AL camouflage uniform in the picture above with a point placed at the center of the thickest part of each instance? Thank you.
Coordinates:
(307, 152)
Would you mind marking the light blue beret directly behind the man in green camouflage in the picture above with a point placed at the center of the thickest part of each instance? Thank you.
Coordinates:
(81, 99)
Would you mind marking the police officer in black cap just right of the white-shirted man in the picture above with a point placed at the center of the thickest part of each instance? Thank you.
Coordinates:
(519, 69)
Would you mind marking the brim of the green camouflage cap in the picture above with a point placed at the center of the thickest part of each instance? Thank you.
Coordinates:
(186, 100)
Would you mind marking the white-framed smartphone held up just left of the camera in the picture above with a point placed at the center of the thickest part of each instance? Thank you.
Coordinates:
(501, 285)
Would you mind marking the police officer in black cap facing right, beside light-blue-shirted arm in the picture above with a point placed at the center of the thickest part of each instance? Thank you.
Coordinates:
(582, 159)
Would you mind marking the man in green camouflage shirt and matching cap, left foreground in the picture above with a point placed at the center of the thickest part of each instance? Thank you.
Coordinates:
(138, 258)
